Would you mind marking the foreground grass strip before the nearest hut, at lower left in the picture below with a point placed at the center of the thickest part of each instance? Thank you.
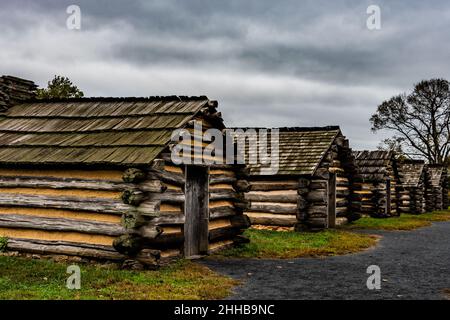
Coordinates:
(22, 278)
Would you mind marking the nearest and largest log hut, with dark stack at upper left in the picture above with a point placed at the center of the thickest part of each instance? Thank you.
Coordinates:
(93, 177)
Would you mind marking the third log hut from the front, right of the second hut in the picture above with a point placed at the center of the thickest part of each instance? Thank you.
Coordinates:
(378, 178)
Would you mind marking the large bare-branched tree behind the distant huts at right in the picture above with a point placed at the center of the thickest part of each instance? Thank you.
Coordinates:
(420, 120)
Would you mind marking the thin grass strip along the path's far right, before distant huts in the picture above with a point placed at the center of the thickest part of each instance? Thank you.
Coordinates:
(404, 222)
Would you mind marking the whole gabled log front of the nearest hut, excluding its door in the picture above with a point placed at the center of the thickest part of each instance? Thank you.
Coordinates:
(226, 203)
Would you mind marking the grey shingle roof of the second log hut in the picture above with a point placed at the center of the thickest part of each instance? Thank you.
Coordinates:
(300, 149)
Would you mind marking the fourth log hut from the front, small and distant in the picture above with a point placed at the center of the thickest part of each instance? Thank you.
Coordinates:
(411, 190)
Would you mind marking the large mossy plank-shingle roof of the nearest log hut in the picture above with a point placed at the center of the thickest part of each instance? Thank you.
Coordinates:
(119, 131)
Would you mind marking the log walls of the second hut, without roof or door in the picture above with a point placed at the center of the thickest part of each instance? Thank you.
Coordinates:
(302, 201)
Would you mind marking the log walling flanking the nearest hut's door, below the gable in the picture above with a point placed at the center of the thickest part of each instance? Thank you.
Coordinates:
(162, 228)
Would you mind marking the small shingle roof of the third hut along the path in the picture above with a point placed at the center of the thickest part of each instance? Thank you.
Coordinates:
(373, 165)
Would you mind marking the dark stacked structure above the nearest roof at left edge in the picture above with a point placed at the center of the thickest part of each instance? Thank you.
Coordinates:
(15, 90)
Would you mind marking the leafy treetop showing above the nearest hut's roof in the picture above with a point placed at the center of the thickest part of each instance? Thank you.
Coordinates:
(59, 87)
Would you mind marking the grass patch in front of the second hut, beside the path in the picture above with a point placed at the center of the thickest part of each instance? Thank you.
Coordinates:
(287, 245)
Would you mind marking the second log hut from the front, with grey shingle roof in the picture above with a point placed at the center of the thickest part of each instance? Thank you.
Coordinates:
(313, 185)
